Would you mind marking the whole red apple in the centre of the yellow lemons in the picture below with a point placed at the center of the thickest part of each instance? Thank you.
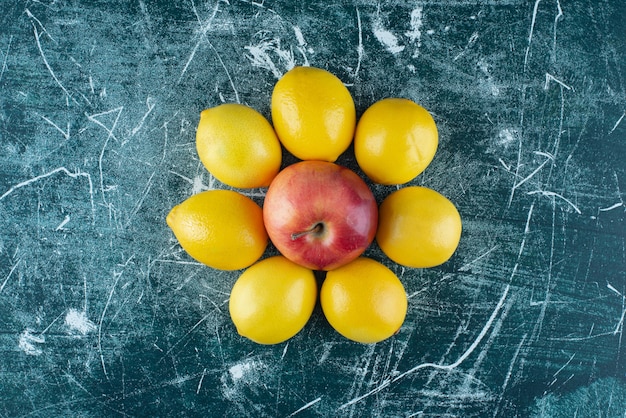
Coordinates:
(319, 214)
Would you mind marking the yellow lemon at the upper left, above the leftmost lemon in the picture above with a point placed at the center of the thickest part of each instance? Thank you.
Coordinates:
(238, 146)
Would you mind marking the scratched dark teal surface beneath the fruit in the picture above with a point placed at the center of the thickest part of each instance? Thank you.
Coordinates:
(103, 314)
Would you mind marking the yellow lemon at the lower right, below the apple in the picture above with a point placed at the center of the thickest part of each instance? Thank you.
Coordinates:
(364, 301)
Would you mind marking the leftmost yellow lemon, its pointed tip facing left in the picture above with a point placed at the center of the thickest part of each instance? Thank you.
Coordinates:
(220, 228)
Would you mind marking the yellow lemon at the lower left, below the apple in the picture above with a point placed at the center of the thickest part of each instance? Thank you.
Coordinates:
(272, 300)
